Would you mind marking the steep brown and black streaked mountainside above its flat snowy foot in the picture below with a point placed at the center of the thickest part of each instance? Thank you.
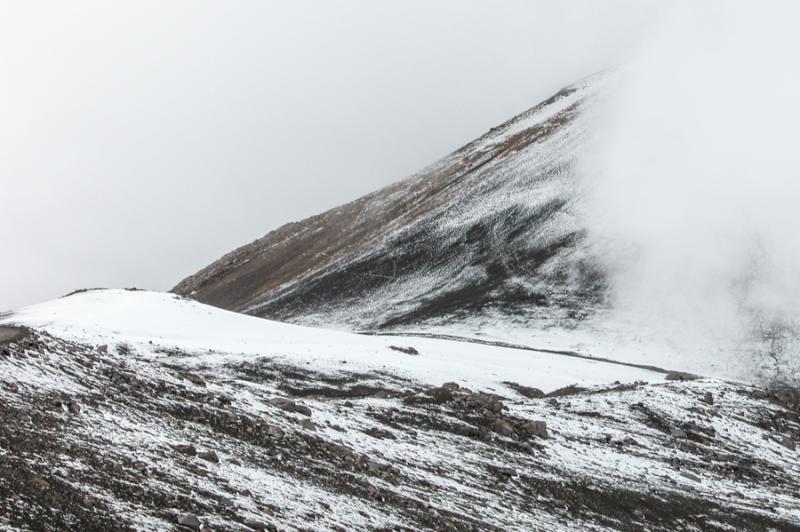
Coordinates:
(487, 232)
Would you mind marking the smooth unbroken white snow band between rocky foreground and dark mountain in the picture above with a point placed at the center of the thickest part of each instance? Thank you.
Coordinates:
(148, 320)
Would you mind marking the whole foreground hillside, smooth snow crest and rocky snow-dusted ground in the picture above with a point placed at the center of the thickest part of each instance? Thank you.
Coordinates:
(136, 410)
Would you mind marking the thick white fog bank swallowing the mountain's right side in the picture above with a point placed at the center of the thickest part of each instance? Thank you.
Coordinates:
(693, 177)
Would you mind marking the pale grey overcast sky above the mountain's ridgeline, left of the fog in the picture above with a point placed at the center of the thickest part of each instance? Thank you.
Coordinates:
(141, 140)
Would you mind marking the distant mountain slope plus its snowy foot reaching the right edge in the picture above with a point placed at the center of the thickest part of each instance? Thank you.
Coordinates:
(489, 243)
